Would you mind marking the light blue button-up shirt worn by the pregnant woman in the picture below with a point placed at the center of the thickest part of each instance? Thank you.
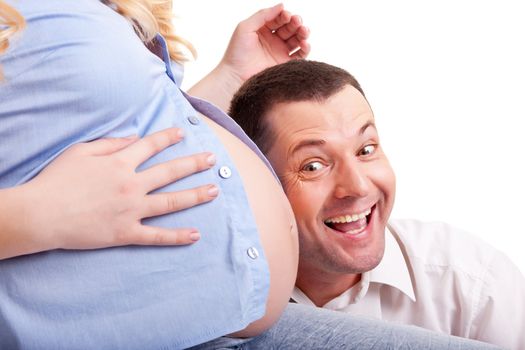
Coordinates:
(78, 72)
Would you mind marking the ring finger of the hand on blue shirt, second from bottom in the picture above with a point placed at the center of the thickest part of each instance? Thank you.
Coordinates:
(164, 203)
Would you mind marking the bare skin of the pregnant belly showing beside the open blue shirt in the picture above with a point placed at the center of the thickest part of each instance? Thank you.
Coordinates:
(275, 222)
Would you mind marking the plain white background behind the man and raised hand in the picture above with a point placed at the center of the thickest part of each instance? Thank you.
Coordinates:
(446, 81)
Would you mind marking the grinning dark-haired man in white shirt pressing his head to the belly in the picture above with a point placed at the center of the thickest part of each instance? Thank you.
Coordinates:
(316, 127)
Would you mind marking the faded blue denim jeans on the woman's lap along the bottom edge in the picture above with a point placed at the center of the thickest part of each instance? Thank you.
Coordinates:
(304, 327)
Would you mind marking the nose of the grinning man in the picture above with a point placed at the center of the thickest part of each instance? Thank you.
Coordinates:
(352, 181)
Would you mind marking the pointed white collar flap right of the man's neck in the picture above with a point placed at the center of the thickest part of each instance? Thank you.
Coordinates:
(393, 269)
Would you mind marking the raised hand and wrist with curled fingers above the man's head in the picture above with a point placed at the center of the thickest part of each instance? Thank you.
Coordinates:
(268, 37)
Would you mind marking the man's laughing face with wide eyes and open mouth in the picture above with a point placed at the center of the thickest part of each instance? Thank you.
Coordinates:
(337, 178)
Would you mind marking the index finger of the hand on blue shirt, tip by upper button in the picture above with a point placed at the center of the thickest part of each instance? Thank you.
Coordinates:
(150, 145)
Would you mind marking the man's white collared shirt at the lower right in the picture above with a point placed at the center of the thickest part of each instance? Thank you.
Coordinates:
(438, 277)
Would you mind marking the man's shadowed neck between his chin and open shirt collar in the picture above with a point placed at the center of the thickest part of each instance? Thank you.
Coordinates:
(321, 287)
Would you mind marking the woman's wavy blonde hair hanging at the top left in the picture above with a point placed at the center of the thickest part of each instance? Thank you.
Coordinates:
(148, 18)
